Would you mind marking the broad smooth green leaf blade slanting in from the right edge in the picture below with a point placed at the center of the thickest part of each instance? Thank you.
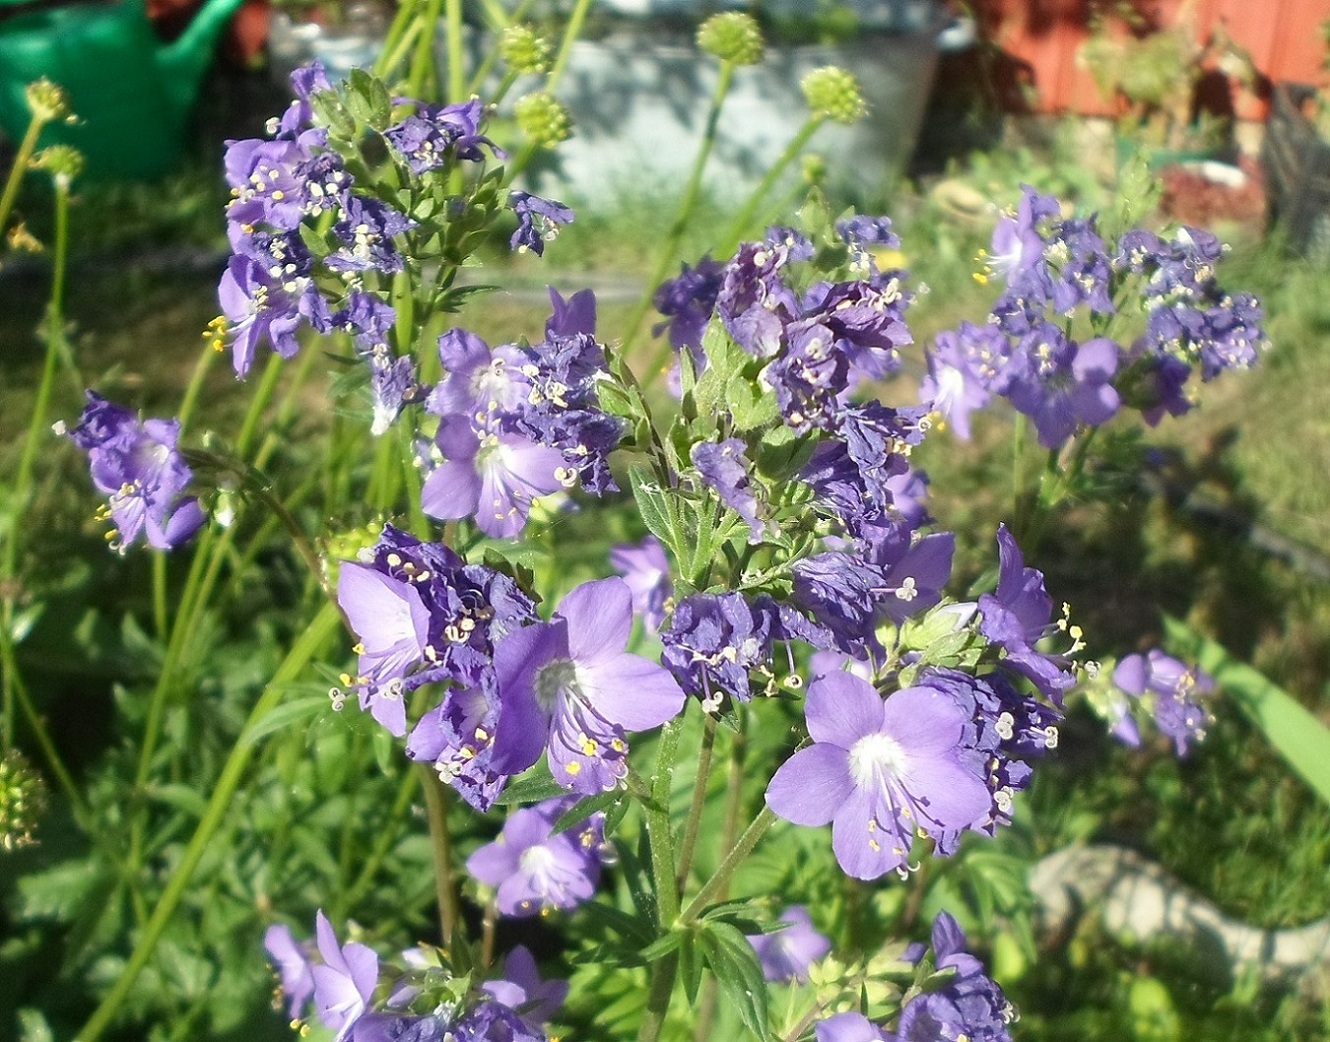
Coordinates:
(1293, 731)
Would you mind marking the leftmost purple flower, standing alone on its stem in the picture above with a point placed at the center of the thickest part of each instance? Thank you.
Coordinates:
(140, 469)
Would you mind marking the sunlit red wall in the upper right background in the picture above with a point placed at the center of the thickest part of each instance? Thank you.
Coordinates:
(1284, 38)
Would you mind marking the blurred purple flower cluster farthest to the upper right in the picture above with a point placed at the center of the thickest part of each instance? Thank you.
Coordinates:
(1058, 268)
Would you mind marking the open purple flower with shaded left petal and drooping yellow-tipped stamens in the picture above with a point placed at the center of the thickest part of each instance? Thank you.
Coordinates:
(571, 685)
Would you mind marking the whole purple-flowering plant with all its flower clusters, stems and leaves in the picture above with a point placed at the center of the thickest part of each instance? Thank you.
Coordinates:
(779, 585)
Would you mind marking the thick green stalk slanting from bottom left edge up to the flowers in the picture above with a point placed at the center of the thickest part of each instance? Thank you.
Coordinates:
(309, 643)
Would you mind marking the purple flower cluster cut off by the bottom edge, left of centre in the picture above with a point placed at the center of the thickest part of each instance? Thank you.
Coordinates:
(362, 1000)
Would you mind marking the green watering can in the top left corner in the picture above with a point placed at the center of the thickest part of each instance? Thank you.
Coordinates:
(134, 94)
